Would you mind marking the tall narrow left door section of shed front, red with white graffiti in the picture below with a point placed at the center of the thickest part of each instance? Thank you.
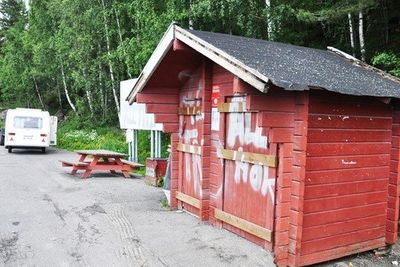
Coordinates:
(194, 130)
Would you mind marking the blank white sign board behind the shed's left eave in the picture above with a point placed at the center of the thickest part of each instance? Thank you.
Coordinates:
(134, 116)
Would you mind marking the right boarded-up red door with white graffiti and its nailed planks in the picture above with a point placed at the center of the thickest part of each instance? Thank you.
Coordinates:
(249, 174)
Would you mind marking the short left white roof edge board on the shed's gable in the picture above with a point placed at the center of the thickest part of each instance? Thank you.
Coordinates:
(155, 59)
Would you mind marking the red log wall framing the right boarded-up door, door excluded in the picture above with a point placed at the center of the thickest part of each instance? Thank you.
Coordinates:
(286, 131)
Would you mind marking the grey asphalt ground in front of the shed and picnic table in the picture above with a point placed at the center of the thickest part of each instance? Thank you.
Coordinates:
(51, 218)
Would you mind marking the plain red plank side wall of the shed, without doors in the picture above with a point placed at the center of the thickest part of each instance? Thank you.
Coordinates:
(347, 175)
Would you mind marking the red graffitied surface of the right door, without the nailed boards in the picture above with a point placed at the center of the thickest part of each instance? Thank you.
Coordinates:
(249, 189)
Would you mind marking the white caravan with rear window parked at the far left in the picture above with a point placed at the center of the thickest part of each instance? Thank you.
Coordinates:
(29, 128)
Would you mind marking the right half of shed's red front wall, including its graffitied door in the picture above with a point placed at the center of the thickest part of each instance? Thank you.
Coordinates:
(259, 194)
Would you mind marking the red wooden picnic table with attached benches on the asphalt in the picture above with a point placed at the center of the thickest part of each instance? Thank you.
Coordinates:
(106, 160)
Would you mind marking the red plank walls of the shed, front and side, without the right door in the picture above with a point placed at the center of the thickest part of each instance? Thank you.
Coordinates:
(333, 195)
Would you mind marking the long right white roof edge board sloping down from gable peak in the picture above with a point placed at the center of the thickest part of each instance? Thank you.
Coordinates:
(233, 65)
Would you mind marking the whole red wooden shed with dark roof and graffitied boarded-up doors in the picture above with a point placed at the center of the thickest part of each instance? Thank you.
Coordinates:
(295, 149)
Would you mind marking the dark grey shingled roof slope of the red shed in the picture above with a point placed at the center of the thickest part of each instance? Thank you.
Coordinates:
(300, 68)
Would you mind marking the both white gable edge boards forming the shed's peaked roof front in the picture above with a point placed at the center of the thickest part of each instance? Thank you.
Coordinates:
(174, 32)
